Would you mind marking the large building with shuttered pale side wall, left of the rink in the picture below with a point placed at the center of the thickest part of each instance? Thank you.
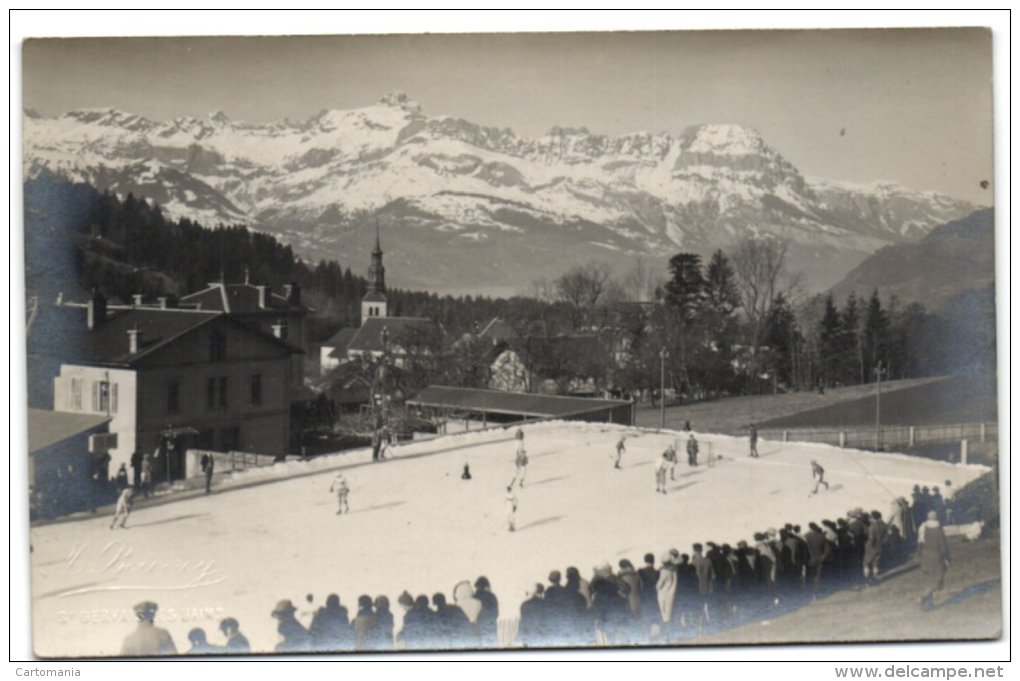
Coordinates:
(169, 380)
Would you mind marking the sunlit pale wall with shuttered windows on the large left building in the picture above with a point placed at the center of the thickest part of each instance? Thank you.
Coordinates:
(77, 390)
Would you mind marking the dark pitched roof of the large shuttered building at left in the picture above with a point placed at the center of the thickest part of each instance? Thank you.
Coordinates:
(62, 332)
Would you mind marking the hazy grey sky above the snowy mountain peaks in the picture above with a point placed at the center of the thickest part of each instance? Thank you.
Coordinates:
(907, 106)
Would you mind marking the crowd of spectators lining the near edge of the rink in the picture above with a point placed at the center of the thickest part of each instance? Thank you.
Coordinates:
(679, 597)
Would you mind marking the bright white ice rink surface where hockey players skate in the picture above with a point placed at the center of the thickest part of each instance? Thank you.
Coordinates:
(417, 526)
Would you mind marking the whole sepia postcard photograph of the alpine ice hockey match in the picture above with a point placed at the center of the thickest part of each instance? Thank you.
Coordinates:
(379, 345)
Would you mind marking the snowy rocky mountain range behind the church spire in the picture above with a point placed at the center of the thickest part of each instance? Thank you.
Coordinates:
(466, 208)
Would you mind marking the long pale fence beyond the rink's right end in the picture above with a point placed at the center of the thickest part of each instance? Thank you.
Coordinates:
(864, 438)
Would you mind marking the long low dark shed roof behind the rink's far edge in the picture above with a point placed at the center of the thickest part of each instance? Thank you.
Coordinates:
(500, 402)
